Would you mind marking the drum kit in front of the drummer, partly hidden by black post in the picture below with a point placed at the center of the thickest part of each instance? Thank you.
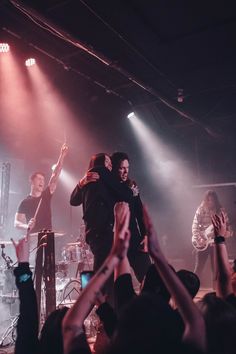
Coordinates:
(75, 257)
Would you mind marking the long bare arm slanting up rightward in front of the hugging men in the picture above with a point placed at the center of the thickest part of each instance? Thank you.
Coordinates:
(74, 319)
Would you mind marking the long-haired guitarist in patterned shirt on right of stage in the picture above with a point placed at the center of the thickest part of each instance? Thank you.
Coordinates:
(203, 232)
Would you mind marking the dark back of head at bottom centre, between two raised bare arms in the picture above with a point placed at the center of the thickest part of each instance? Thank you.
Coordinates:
(147, 325)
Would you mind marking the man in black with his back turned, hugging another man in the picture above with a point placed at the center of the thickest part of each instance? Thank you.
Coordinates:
(98, 200)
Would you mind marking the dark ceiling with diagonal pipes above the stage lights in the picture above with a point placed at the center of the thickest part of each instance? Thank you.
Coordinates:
(139, 53)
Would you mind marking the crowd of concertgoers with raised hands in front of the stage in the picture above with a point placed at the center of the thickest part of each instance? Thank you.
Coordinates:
(162, 318)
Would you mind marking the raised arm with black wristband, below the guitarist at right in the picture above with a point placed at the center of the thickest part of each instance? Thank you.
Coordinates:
(222, 268)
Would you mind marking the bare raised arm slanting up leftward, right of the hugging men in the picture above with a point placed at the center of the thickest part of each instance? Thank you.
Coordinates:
(194, 332)
